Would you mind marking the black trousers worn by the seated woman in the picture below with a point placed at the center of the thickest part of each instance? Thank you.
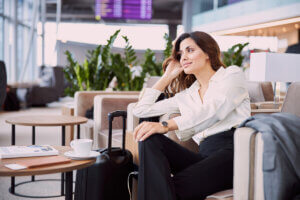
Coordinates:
(194, 175)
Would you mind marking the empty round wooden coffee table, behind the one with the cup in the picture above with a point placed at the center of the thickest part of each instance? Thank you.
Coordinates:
(44, 120)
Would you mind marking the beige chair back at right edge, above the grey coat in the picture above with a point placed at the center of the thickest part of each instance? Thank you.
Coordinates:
(290, 104)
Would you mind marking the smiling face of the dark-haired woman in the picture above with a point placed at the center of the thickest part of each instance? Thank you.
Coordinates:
(192, 58)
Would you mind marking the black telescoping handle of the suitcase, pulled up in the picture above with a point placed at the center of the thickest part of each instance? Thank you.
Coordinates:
(111, 116)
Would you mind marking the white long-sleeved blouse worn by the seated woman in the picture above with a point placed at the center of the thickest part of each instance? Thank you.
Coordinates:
(226, 104)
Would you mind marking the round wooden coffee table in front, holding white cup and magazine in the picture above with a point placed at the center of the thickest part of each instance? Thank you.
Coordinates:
(67, 167)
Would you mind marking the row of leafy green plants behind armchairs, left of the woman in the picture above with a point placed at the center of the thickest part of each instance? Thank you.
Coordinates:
(101, 65)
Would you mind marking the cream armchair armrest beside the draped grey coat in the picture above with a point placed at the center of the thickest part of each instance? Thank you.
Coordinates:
(248, 149)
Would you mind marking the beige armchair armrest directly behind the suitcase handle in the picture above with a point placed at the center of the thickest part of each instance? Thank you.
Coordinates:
(104, 104)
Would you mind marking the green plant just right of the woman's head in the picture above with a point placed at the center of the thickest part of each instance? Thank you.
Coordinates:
(234, 56)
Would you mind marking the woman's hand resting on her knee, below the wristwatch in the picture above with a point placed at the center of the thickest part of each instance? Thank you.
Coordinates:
(146, 129)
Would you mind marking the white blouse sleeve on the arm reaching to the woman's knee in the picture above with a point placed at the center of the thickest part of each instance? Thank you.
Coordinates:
(201, 117)
